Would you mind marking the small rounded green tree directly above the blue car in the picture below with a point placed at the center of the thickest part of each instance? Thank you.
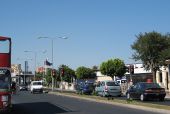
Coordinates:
(84, 73)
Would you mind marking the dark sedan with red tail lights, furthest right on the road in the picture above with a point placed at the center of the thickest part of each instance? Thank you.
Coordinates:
(145, 91)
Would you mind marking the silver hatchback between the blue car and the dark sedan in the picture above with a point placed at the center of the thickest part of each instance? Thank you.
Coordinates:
(108, 88)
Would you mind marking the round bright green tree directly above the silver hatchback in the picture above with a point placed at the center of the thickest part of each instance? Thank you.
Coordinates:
(113, 67)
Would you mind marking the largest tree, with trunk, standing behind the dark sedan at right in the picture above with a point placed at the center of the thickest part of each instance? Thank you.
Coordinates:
(152, 49)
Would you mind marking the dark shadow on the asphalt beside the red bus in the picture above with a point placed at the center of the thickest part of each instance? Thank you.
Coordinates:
(37, 108)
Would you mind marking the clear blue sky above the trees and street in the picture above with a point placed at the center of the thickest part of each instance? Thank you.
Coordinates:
(97, 30)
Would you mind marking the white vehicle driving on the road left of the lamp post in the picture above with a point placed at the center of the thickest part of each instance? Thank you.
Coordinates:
(36, 86)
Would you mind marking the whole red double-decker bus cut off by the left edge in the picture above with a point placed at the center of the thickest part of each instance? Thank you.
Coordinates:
(5, 74)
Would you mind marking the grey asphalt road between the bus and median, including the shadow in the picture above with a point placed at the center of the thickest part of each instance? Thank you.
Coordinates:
(26, 103)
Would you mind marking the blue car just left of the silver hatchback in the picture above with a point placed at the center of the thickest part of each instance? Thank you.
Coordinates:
(84, 88)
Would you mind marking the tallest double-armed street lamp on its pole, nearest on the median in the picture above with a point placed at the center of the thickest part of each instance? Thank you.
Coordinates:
(52, 54)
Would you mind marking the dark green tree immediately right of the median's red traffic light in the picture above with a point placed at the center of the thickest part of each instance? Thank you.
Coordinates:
(68, 73)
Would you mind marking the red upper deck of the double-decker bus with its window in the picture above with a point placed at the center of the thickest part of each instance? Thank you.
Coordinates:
(5, 52)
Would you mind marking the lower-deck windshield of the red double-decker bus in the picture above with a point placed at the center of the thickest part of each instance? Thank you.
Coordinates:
(4, 79)
